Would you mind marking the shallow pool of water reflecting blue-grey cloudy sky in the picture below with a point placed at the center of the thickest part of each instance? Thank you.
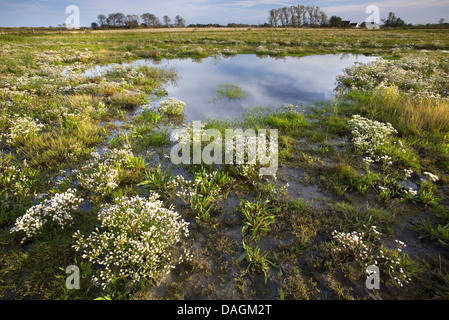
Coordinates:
(265, 81)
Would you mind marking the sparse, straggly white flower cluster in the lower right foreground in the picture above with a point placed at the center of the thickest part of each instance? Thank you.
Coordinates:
(369, 252)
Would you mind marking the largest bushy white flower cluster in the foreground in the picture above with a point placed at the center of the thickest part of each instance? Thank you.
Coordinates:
(135, 240)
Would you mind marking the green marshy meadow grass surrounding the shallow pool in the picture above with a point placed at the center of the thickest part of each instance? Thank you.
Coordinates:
(250, 237)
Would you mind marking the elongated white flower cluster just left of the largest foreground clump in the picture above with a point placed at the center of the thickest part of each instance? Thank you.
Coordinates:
(58, 209)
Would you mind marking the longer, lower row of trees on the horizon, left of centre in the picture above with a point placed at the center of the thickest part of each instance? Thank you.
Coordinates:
(146, 20)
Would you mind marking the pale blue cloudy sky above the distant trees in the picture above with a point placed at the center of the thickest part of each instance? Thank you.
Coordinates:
(36, 13)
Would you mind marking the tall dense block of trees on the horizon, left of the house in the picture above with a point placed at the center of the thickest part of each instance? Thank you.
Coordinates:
(298, 16)
